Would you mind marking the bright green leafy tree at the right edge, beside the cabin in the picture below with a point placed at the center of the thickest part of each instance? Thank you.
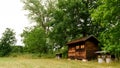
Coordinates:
(107, 15)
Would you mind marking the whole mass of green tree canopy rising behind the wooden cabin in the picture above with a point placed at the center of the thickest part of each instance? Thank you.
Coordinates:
(64, 20)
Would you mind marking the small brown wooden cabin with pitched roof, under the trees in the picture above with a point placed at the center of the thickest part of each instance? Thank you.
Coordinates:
(83, 48)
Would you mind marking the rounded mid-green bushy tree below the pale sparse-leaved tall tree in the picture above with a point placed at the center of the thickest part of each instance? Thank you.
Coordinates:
(35, 40)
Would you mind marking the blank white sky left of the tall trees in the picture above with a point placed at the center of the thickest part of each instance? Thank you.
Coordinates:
(13, 16)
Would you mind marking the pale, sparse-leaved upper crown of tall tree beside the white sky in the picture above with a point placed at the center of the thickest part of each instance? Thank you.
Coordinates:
(39, 11)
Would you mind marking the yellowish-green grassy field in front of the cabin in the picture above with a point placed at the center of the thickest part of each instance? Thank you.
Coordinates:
(52, 63)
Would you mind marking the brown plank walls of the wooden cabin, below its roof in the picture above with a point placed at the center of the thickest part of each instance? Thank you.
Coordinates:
(82, 51)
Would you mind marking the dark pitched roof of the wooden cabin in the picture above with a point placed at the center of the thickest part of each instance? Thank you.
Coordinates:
(82, 39)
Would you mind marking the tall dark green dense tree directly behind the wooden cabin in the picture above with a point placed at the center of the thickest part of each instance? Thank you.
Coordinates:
(71, 19)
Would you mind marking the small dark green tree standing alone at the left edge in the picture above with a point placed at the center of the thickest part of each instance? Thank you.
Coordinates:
(7, 40)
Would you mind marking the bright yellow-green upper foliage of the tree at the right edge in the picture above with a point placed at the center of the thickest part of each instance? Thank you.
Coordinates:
(107, 14)
